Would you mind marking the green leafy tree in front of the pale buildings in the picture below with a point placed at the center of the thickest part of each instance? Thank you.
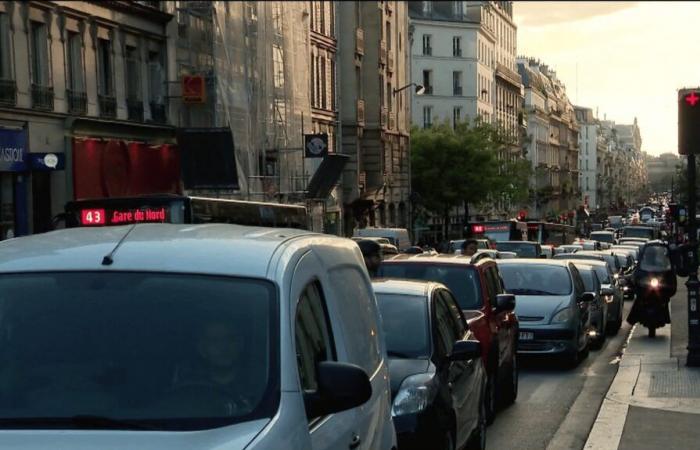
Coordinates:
(454, 166)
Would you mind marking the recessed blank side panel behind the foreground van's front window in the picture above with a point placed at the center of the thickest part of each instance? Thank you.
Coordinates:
(358, 312)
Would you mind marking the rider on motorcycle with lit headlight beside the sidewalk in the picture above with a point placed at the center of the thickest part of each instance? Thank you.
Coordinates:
(654, 281)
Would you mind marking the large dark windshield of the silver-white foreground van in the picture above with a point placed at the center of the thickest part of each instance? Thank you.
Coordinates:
(138, 350)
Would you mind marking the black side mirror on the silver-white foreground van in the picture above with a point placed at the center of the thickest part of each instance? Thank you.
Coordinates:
(341, 386)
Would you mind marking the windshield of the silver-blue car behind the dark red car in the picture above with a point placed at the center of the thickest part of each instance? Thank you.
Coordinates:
(536, 279)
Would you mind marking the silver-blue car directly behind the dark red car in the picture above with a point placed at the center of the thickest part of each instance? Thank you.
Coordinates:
(552, 306)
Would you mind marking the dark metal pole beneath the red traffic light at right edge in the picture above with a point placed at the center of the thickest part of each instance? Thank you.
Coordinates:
(693, 284)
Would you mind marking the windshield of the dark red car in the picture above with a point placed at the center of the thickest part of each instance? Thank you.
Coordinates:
(462, 280)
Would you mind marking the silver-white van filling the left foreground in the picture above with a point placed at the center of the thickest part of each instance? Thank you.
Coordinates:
(162, 336)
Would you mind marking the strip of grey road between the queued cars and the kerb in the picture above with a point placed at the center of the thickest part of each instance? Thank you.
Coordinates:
(556, 407)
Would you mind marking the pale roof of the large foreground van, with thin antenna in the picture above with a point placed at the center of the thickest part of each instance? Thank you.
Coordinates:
(210, 248)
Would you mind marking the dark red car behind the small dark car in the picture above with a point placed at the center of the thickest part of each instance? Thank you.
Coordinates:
(476, 284)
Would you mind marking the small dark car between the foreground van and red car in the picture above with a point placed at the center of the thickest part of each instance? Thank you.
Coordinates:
(438, 380)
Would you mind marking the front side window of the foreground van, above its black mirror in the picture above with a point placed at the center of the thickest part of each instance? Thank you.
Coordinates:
(312, 332)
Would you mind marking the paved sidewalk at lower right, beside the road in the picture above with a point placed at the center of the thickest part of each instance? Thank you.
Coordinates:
(654, 400)
